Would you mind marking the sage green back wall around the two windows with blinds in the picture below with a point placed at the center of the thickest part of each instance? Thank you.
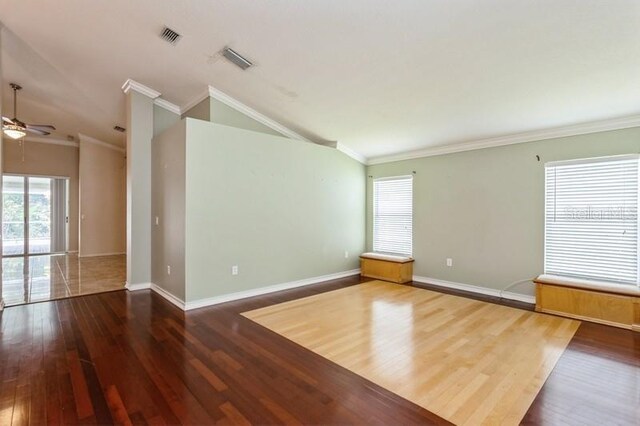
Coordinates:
(484, 208)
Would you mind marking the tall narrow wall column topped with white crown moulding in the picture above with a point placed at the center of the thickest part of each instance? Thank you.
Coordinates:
(139, 135)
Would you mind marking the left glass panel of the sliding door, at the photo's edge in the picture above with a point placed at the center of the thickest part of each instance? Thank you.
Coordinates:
(13, 215)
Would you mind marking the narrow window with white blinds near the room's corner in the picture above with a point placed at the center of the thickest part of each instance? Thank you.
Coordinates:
(393, 215)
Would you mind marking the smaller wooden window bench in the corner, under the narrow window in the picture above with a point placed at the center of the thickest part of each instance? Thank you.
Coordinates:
(387, 267)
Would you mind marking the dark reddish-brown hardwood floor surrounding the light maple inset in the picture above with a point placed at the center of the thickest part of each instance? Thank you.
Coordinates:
(125, 357)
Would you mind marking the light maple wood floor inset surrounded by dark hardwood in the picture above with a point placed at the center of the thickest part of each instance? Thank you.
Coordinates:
(467, 361)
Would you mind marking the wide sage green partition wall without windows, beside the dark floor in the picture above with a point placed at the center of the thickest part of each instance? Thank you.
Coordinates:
(281, 210)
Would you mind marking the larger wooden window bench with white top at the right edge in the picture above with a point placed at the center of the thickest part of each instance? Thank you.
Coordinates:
(612, 304)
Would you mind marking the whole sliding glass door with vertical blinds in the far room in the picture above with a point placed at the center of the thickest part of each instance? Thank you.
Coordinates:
(35, 215)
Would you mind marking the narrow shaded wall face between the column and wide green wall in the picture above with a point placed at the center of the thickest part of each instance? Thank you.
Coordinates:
(168, 205)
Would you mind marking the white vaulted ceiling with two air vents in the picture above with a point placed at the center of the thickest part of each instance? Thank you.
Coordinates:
(380, 77)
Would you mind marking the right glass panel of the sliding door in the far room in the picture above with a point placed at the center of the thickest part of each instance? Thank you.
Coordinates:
(39, 215)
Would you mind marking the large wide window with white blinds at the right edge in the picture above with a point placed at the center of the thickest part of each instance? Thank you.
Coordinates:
(591, 219)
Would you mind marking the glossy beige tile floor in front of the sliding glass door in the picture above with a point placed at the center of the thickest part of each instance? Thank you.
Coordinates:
(28, 279)
